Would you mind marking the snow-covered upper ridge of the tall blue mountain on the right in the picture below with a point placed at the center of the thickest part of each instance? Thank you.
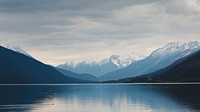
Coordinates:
(176, 47)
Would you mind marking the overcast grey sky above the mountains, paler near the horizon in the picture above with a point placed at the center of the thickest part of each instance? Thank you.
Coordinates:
(56, 31)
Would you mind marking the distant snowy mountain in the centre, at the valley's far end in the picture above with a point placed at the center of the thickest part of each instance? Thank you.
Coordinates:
(99, 68)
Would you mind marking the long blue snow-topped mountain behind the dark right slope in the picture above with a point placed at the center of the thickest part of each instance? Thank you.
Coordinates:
(157, 60)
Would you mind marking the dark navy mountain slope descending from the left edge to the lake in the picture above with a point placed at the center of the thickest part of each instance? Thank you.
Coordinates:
(18, 68)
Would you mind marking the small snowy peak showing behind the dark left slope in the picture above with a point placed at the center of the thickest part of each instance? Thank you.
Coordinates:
(16, 49)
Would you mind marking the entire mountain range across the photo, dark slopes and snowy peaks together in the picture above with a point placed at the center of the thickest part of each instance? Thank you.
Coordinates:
(174, 62)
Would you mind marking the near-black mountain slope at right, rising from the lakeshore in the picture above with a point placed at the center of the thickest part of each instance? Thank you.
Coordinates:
(186, 69)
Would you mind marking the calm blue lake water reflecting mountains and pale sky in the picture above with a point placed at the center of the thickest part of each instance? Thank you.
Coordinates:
(100, 98)
